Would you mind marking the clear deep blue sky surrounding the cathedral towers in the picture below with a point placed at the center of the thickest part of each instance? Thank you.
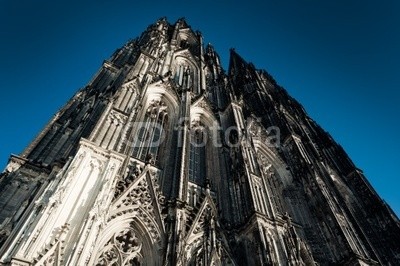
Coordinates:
(340, 59)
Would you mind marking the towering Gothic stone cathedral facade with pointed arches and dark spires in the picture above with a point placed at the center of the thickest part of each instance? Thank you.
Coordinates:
(166, 159)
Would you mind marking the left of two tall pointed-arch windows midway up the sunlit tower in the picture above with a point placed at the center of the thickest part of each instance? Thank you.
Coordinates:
(150, 132)
